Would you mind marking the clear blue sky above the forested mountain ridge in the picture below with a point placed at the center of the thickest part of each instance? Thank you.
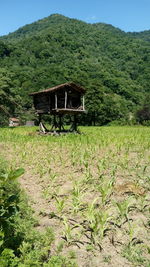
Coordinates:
(128, 15)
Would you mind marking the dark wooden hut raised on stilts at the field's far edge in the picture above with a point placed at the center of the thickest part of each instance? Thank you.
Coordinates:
(67, 98)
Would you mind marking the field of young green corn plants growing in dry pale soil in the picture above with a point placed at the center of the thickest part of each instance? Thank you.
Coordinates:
(92, 190)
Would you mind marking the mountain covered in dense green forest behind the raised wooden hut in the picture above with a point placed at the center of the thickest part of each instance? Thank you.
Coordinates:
(113, 65)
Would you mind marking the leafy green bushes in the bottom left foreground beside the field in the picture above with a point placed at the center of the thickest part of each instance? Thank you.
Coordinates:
(20, 244)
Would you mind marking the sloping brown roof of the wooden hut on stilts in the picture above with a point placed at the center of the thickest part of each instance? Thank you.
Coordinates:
(61, 86)
